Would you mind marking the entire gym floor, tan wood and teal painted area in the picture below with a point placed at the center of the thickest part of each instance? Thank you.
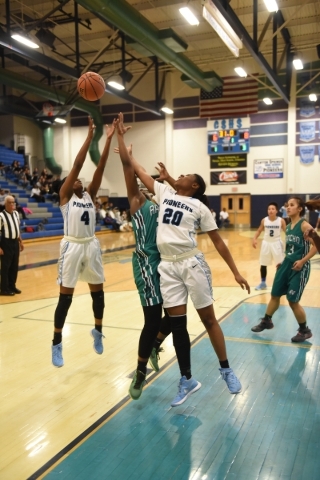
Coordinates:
(77, 422)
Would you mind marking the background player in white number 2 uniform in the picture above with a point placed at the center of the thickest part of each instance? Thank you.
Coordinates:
(272, 248)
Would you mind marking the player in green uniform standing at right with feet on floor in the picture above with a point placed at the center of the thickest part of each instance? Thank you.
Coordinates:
(293, 273)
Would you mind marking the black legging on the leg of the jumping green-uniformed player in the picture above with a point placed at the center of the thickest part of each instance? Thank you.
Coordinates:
(152, 321)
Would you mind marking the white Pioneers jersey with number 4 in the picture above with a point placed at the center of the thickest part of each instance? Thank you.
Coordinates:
(79, 216)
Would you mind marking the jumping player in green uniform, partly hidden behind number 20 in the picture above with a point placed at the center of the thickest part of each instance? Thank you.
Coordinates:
(145, 261)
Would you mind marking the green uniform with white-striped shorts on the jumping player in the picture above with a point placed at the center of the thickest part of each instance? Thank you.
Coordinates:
(146, 258)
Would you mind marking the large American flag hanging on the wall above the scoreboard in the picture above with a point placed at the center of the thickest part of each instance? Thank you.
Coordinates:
(236, 98)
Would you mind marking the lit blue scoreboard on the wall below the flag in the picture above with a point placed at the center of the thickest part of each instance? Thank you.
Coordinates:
(229, 141)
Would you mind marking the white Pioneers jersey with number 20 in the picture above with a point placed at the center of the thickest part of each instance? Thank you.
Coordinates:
(179, 218)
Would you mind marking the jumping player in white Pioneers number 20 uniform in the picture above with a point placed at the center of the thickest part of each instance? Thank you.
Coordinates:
(183, 269)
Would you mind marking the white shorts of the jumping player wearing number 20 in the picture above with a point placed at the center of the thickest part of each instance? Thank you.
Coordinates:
(191, 276)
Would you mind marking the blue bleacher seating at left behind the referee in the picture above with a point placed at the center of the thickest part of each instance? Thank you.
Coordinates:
(53, 225)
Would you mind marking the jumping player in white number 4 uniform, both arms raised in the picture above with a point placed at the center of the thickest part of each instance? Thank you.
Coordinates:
(80, 253)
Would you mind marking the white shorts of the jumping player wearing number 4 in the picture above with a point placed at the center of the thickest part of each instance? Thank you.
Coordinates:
(80, 261)
